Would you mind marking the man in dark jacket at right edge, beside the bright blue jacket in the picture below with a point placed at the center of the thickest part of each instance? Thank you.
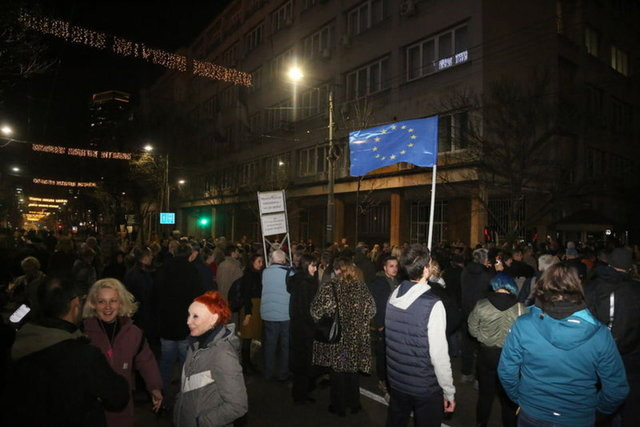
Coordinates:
(613, 298)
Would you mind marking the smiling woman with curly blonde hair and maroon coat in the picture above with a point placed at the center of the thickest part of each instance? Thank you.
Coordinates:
(107, 322)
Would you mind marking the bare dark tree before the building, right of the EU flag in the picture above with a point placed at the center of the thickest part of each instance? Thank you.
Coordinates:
(516, 141)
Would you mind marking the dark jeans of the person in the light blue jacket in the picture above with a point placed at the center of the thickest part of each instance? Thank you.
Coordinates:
(276, 349)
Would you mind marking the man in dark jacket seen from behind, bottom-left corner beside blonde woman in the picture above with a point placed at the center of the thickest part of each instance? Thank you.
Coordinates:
(57, 377)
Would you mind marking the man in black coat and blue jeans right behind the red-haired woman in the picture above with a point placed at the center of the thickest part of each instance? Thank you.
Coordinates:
(178, 284)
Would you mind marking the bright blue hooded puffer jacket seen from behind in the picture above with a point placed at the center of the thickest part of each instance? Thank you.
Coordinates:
(551, 368)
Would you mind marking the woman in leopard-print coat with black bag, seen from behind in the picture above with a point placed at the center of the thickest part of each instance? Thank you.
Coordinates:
(347, 294)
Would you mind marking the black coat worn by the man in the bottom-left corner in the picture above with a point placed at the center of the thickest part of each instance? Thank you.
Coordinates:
(69, 383)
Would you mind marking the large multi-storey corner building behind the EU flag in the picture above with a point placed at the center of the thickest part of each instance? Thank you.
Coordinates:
(537, 104)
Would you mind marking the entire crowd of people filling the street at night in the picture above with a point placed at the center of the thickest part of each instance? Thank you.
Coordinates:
(550, 330)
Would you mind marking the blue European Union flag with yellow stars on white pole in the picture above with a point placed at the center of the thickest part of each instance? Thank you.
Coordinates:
(411, 141)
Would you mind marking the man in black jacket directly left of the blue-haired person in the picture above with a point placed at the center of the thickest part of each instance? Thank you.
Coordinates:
(475, 285)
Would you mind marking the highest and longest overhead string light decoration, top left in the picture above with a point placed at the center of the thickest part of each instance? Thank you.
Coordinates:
(124, 47)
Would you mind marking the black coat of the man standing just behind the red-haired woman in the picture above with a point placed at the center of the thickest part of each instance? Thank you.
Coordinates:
(178, 284)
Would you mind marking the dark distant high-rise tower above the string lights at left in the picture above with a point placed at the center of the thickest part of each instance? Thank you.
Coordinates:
(109, 113)
